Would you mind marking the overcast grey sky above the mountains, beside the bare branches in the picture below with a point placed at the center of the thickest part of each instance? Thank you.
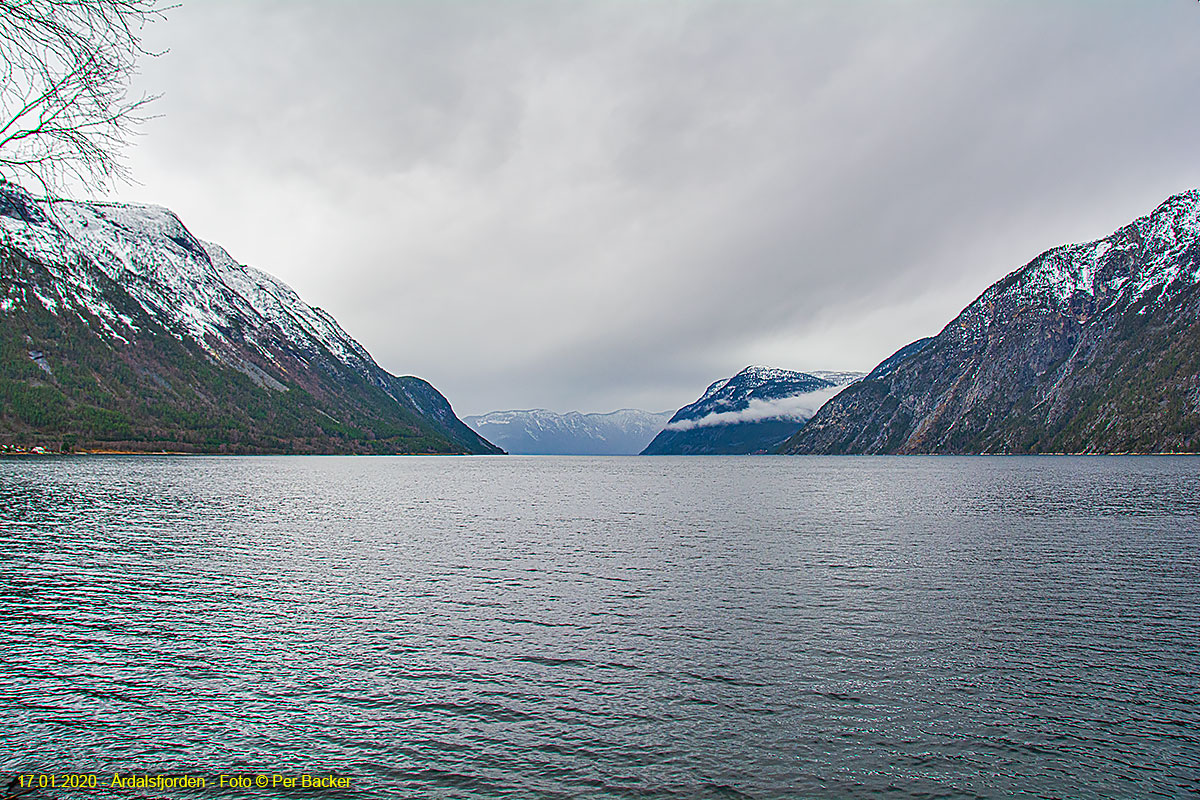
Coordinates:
(592, 206)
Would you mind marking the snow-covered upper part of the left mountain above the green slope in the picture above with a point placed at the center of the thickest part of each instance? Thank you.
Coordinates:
(195, 288)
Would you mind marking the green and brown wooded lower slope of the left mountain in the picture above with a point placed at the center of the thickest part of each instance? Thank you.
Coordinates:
(163, 393)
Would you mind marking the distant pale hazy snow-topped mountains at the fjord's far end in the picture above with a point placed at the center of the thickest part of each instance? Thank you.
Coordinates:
(545, 434)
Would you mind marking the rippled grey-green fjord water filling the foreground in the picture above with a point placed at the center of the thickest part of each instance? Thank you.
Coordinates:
(608, 628)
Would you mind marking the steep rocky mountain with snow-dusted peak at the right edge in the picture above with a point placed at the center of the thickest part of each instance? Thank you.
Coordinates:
(1089, 348)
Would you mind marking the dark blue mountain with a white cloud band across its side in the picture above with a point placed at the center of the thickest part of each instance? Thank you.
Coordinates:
(753, 412)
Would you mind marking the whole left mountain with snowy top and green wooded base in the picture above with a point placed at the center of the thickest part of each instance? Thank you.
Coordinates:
(147, 339)
